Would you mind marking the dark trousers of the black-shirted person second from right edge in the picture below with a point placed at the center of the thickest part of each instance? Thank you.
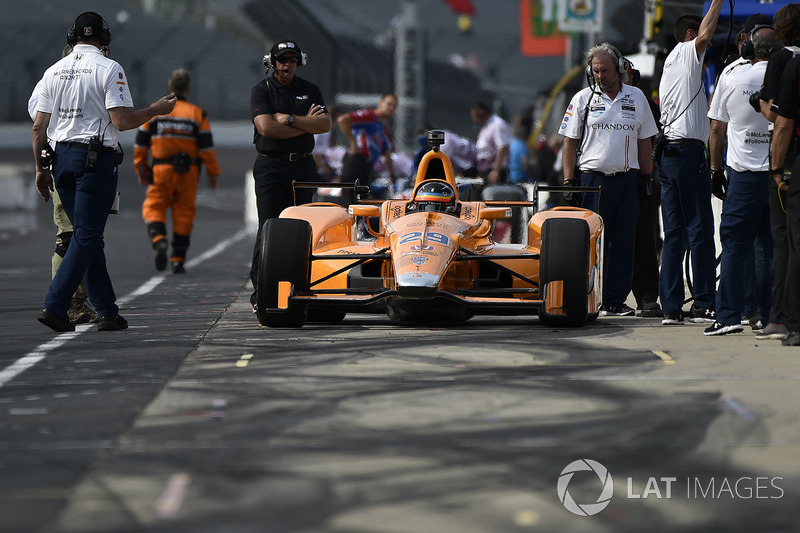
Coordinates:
(780, 254)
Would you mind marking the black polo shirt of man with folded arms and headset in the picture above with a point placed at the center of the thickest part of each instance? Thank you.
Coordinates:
(270, 96)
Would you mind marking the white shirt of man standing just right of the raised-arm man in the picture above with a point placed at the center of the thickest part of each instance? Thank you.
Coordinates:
(748, 131)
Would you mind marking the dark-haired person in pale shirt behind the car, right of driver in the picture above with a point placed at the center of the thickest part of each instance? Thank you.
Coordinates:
(493, 144)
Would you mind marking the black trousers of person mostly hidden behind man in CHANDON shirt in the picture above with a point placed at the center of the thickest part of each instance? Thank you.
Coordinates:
(646, 244)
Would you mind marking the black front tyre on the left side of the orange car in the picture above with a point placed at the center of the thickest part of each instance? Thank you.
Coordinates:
(285, 256)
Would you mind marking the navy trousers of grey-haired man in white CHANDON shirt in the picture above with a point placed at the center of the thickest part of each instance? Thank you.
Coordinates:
(618, 205)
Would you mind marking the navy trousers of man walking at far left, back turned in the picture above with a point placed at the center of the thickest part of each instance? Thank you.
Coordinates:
(87, 196)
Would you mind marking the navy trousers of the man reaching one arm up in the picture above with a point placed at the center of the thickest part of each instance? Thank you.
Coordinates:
(688, 220)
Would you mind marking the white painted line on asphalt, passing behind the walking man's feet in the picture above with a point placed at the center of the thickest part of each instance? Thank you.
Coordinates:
(30, 359)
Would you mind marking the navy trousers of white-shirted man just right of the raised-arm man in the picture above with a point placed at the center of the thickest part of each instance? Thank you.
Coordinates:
(744, 213)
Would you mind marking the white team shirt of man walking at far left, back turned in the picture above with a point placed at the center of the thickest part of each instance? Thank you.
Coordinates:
(78, 91)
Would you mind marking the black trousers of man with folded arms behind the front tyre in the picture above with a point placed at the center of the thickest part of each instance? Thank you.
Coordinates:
(273, 185)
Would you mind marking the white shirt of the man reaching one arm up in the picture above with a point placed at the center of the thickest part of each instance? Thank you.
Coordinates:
(684, 106)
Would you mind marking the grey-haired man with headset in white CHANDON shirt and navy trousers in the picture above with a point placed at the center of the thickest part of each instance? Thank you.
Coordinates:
(607, 129)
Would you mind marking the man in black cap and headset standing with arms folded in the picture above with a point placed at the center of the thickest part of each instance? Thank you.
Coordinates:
(287, 111)
